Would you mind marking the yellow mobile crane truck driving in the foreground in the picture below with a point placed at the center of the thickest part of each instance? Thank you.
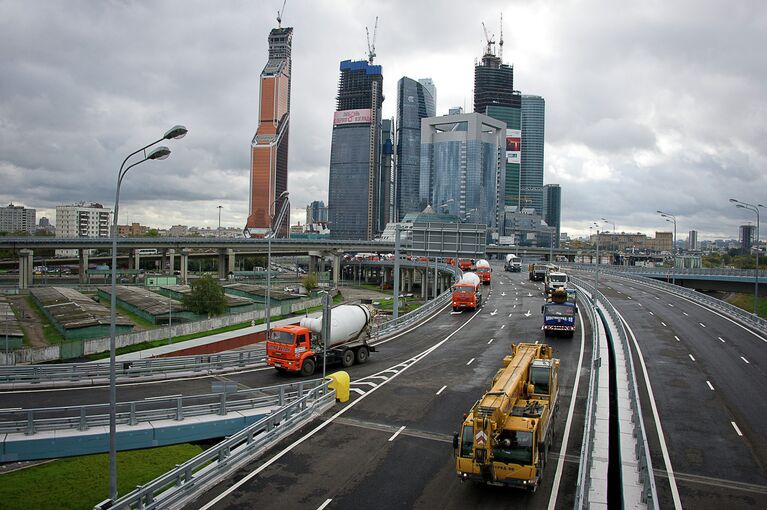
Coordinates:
(505, 438)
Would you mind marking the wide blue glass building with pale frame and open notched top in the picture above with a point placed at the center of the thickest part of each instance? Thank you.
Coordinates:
(461, 167)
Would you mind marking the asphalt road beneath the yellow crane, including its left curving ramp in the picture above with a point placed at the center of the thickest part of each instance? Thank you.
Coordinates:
(390, 446)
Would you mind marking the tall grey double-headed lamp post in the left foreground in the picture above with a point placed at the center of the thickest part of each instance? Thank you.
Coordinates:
(159, 153)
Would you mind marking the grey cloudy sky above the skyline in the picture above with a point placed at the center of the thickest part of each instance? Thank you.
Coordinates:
(649, 104)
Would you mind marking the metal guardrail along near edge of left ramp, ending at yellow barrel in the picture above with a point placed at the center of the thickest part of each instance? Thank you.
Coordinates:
(82, 418)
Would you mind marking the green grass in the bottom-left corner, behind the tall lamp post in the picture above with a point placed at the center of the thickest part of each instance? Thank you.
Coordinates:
(81, 482)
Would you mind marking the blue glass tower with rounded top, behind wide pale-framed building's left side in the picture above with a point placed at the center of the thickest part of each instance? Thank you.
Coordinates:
(415, 101)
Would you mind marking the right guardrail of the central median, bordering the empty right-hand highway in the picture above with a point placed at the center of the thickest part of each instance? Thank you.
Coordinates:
(647, 477)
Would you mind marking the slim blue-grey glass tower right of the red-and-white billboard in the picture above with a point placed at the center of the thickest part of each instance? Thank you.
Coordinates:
(531, 170)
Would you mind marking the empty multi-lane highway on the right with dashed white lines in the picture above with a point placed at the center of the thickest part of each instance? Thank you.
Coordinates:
(709, 396)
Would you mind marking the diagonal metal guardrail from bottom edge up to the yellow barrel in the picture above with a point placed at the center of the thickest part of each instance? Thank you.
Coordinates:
(176, 487)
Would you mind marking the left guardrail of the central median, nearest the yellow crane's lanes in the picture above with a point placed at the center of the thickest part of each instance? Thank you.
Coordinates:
(583, 482)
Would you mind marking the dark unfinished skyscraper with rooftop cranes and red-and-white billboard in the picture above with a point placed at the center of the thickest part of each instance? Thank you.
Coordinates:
(494, 95)
